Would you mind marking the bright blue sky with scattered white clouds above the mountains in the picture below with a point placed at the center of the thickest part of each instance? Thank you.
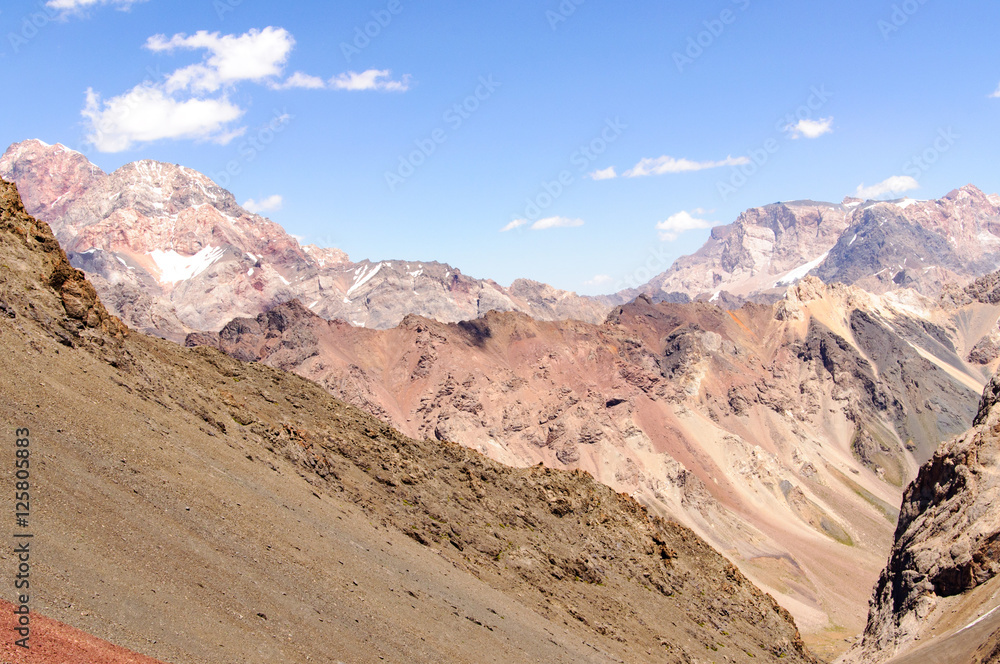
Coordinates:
(604, 138)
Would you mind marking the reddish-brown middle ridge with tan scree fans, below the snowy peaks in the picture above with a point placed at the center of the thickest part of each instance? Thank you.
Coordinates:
(783, 434)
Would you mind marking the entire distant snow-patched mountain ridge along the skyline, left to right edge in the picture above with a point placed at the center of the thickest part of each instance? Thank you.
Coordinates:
(171, 252)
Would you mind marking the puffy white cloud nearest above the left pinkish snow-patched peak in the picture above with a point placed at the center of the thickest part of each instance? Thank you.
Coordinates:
(147, 113)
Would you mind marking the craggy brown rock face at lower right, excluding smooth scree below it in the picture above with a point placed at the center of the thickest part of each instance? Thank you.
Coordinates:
(947, 541)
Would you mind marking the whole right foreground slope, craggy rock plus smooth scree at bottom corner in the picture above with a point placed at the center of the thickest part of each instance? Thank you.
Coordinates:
(936, 599)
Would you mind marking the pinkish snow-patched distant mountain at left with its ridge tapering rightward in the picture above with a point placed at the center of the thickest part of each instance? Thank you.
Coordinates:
(172, 252)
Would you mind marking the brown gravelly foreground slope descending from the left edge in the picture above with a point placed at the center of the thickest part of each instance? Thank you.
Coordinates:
(196, 508)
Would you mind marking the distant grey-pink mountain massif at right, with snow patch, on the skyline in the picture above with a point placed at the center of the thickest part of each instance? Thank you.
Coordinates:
(879, 246)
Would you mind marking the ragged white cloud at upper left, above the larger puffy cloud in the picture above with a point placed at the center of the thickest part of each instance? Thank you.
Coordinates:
(253, 56)
